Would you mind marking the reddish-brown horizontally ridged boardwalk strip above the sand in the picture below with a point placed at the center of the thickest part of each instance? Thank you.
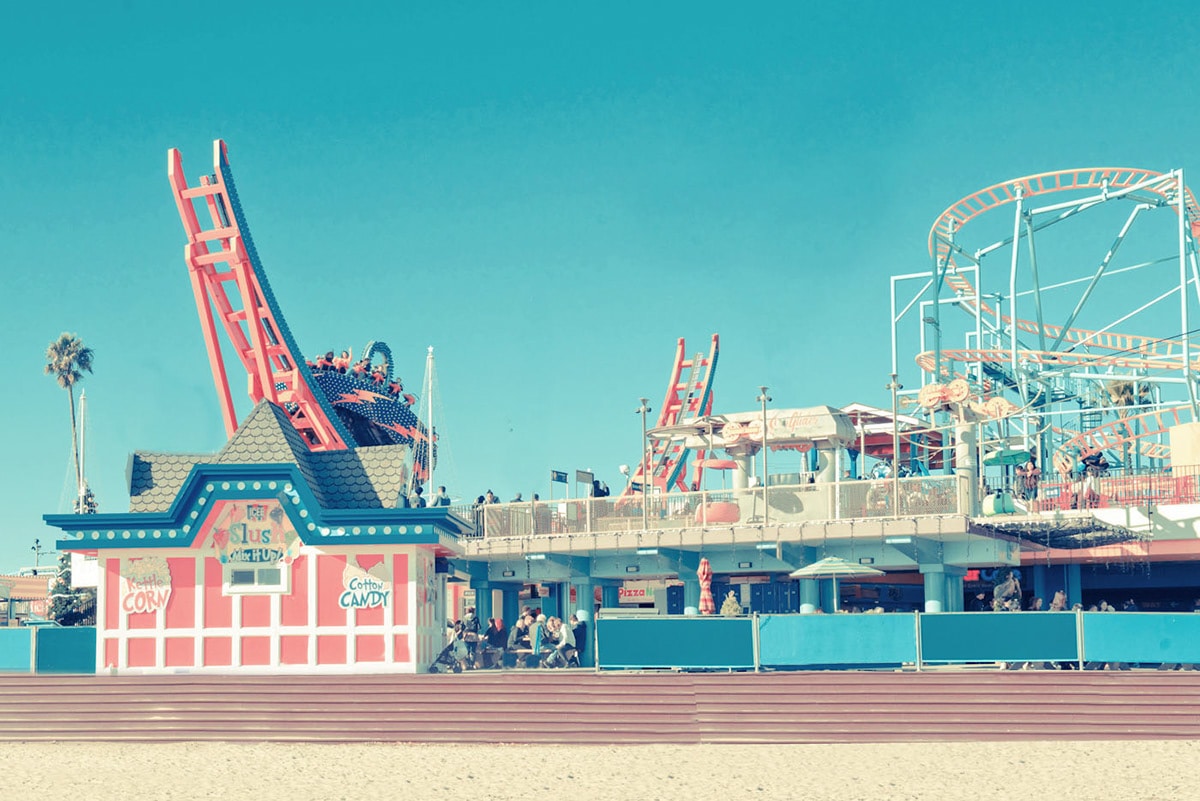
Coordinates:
(544, 707)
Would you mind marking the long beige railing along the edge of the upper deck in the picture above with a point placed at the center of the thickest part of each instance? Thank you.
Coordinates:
(789, 504)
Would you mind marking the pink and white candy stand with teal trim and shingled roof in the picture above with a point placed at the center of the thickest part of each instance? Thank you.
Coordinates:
(268, 558)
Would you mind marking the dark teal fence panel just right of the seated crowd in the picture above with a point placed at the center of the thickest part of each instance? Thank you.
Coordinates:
(685, 643)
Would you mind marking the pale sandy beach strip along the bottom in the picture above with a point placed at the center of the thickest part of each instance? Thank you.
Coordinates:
(1082, 772)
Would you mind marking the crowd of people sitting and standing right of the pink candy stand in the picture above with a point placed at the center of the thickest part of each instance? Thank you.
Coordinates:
(535, 641)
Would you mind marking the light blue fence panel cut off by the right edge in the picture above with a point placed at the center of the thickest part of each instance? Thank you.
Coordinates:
(1142, 637)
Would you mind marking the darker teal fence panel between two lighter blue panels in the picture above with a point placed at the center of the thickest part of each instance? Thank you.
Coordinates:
(999, 637)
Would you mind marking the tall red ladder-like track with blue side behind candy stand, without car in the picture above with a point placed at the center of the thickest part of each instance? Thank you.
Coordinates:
(232, 292)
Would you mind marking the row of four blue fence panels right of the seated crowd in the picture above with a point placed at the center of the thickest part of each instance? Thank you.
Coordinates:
(897, 640)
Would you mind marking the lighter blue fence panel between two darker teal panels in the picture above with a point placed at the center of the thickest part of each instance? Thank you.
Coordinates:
(803, 641)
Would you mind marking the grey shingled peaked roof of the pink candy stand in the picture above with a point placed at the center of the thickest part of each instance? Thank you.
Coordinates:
(365, 478)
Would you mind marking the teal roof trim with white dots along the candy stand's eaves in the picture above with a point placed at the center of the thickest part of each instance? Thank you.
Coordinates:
(208, 484)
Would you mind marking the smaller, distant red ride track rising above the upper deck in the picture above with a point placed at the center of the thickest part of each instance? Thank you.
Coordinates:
(687, 399)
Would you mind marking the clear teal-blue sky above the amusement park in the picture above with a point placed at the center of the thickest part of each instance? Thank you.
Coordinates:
(550, 197)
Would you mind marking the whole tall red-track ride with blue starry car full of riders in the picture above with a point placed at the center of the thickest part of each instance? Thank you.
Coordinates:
(333, 402)
